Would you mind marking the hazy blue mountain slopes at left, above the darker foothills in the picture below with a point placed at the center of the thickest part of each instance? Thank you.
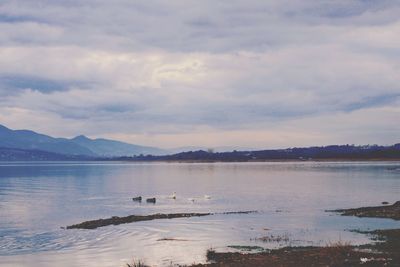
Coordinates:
(19, 140)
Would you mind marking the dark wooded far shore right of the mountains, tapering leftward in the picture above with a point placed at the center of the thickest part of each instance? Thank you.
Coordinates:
(346, 152)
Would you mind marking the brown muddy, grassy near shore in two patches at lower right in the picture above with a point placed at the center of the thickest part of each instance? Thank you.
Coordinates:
(383, 251)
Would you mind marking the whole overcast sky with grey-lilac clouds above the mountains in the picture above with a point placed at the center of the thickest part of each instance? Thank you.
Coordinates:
(246, 74)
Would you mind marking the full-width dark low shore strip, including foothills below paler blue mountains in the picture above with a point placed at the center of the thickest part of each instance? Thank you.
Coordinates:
(340, 152)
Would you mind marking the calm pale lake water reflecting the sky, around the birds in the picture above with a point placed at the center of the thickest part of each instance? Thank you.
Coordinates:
(36, 200)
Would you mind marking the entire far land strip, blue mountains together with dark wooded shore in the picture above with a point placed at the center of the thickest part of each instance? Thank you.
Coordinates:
(17, 145)
